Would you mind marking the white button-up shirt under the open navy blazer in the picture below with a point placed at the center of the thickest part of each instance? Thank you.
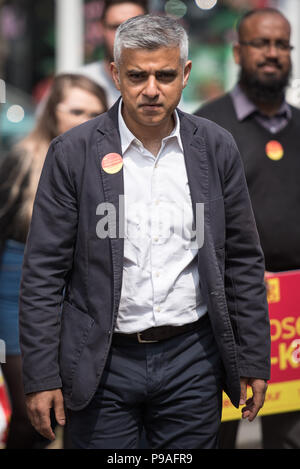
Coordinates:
(160, 275)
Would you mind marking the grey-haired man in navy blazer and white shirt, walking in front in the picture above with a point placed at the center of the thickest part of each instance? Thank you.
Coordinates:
(127, 333)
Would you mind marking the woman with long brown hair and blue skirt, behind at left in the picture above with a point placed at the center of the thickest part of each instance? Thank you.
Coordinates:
(72, 100)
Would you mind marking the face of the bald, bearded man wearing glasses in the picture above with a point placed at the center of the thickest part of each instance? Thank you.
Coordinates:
(269, 64)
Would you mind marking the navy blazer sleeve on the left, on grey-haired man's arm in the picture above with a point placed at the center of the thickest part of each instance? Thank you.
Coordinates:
(47, 263)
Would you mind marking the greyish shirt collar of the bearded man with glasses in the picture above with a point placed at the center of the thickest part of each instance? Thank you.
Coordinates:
(244, 107)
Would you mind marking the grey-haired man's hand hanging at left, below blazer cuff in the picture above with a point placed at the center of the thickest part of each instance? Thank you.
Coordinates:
(38, 408)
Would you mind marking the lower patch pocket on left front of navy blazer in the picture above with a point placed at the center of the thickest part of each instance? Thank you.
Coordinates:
(75, 327)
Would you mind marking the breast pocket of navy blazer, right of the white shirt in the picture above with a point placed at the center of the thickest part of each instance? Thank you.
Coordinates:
(217, 221)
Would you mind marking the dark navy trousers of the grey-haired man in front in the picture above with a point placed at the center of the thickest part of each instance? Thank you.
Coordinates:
(171, 389)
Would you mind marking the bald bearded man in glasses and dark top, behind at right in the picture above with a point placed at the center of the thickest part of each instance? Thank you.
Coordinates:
(266, 129)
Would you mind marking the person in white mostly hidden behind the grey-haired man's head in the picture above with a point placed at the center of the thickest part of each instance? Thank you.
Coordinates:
(114, 13)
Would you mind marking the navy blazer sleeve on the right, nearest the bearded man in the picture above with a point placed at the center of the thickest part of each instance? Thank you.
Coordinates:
(244, 273)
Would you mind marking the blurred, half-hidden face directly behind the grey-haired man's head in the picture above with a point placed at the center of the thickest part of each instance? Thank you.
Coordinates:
(115, 16)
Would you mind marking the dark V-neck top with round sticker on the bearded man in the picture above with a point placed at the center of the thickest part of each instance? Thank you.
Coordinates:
(272, 166)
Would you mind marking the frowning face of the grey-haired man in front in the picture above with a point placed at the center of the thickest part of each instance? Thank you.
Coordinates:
(151, 83)
